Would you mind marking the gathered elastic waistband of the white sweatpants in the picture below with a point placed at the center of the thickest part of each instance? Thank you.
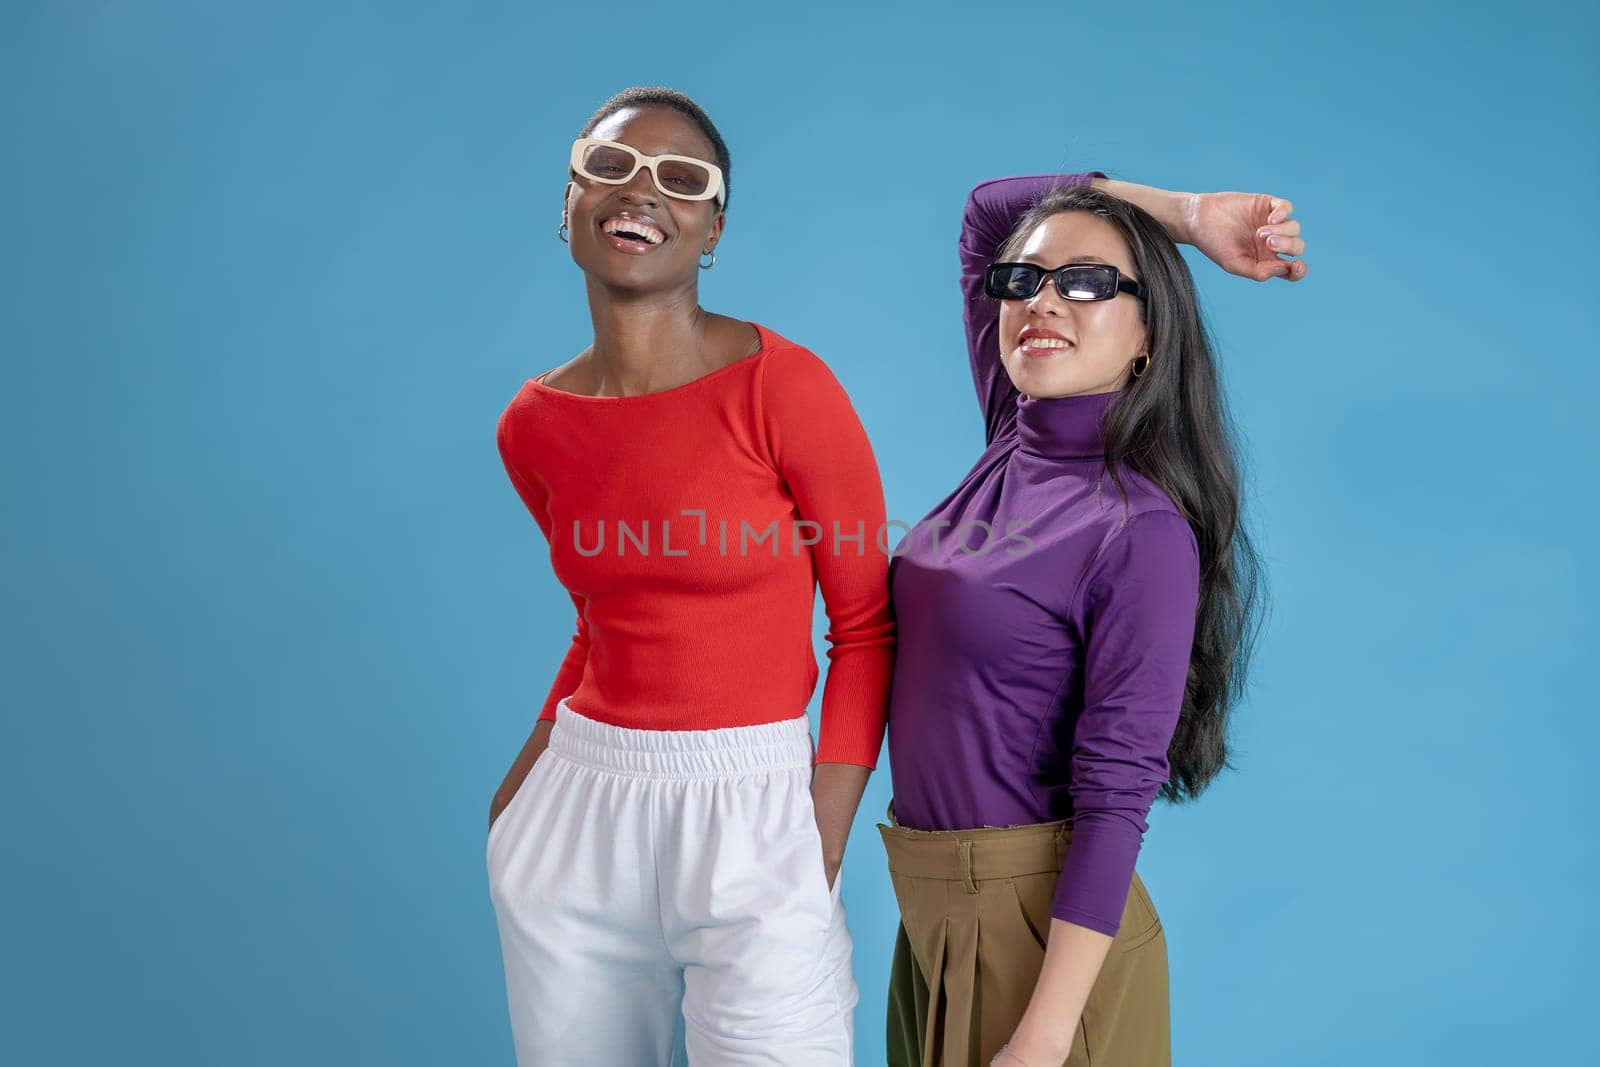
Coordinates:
(724, 753)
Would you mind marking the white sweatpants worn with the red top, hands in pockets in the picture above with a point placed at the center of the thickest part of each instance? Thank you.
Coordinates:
(646, 879)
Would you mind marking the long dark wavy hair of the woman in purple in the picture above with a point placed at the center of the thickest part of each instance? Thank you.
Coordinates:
(1174, 428)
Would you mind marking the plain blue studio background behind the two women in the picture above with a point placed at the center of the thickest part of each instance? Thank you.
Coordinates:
(278, 623)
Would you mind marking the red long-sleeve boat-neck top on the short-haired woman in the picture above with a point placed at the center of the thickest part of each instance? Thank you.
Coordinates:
(694, 527)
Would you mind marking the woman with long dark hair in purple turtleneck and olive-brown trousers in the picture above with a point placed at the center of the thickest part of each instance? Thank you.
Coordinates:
(1074, 626)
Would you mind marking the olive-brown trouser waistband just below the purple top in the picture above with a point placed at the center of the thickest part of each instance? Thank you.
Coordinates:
(977, 855)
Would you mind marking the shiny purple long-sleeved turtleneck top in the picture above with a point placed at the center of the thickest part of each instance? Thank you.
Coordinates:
(1046, 623)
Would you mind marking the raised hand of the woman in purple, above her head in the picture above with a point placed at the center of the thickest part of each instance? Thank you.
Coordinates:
(1247, 234)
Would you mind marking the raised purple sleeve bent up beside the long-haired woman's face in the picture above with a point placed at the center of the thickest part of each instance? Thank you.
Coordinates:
(993, 212)
